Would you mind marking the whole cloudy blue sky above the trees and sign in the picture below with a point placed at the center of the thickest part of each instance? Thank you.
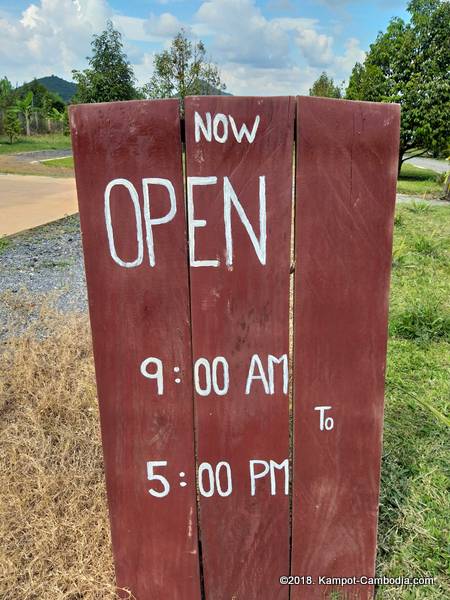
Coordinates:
(262, 47)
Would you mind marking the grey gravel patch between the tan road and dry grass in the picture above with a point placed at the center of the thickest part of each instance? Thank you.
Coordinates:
(45, 261)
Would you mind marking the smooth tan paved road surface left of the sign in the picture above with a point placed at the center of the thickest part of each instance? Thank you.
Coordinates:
(28, 201)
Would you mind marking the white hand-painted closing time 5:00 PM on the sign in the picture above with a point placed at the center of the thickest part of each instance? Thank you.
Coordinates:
(219, 480)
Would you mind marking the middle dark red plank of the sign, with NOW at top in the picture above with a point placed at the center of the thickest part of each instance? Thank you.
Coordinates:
(240, 308)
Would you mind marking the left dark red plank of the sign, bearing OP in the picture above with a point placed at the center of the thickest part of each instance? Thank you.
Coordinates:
(140, 311)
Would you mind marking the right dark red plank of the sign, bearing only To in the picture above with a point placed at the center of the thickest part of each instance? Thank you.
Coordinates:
(346, 181)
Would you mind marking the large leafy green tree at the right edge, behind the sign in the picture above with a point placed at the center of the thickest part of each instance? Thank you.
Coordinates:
(409, 64)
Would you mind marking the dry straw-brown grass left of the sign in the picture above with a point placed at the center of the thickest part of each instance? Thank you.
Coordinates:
(54, 531)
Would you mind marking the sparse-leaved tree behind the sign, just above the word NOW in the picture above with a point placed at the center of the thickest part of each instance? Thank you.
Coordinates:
(184, 70)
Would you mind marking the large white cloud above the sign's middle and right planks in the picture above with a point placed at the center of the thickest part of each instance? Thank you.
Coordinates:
(258, 55)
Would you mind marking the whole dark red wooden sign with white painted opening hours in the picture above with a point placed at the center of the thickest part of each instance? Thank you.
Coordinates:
(241, 411)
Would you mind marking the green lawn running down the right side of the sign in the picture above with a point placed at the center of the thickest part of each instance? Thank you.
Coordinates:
(415, 494)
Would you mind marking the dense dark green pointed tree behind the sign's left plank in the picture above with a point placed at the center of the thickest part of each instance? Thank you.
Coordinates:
(110, 76)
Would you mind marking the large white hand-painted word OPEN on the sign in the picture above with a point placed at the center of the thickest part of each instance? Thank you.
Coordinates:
(230, 200)
